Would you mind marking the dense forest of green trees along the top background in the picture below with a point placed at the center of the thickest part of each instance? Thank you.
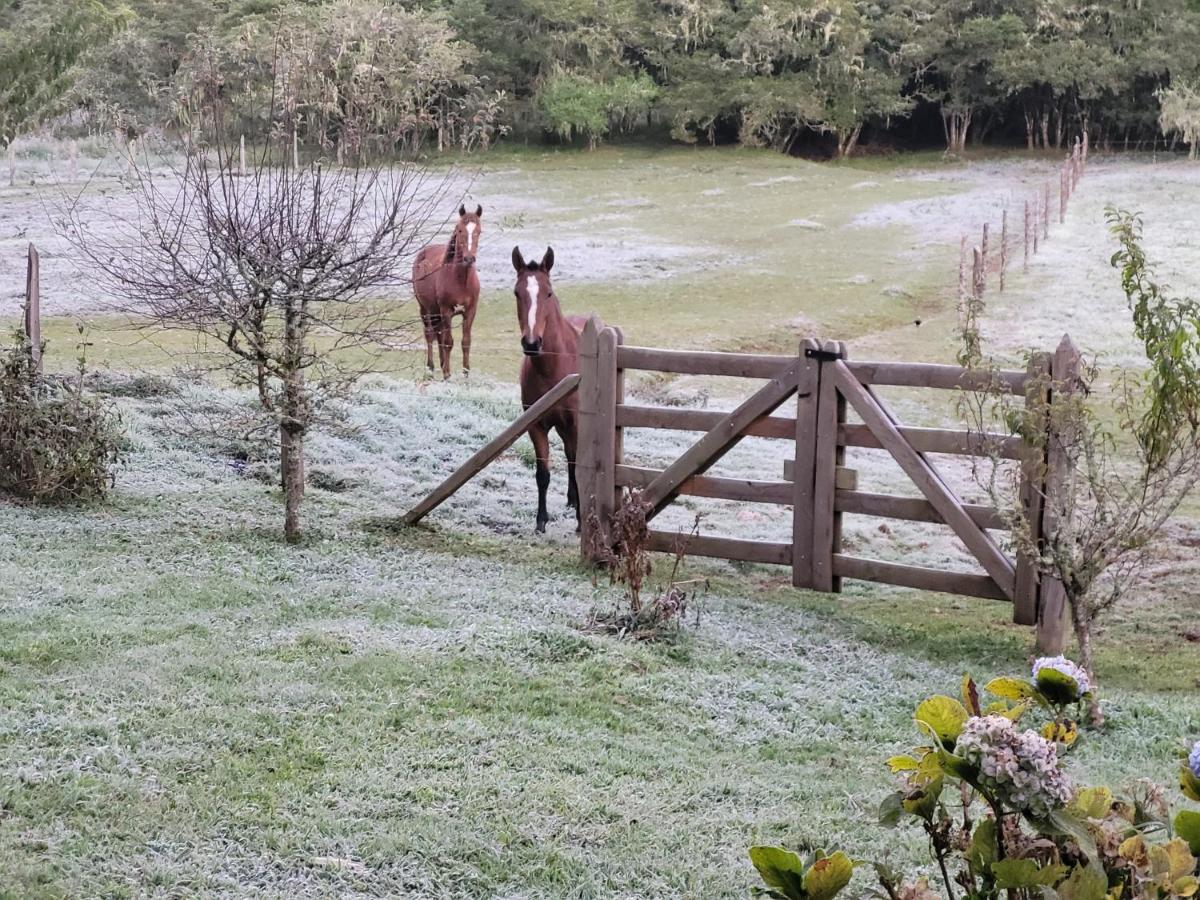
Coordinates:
(824, 77)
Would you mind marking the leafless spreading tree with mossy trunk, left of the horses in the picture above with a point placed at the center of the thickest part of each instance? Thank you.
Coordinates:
(280, 269)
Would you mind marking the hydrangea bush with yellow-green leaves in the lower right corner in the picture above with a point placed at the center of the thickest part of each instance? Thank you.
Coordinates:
(1004, 819)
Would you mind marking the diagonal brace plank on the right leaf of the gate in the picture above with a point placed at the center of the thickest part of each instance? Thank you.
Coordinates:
(927, 479)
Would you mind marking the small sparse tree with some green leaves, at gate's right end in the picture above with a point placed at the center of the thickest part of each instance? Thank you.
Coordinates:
(1117, 469)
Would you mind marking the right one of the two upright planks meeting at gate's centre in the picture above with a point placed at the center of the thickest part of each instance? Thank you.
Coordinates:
(829, 457)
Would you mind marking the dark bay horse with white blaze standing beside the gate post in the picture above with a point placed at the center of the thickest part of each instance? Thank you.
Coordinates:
(551, 345)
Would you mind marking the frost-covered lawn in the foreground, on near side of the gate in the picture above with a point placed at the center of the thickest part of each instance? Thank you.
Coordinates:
(188, 706)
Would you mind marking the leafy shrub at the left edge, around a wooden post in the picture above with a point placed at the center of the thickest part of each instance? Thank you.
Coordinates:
(57, 442)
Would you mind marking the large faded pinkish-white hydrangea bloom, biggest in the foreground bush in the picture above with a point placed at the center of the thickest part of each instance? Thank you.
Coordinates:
(1021, 770)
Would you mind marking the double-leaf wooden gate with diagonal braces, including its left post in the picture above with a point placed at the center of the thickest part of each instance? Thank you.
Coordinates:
(826, 387)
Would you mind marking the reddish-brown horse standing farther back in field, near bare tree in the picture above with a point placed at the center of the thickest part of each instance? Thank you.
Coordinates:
(447, 285)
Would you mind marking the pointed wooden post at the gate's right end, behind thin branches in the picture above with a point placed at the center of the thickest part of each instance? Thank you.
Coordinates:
(1066, 373)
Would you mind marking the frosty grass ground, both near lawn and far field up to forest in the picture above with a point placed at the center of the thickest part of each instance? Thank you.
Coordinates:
(191, 707)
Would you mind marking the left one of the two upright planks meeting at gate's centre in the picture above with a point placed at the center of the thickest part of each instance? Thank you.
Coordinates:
(803, 489)
